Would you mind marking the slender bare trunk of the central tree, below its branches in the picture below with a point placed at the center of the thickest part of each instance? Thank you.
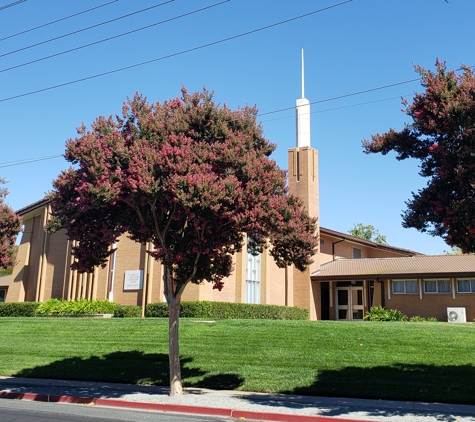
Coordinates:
(173, 346)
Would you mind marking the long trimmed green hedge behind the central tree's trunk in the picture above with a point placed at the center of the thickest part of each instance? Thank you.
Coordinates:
(228, 310)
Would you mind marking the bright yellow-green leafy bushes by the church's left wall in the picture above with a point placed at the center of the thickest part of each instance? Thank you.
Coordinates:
(76, 307)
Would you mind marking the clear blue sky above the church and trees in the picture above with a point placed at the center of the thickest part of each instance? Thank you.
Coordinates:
(352, 47)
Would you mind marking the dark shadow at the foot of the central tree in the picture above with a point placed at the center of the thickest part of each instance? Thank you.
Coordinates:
(130, 367)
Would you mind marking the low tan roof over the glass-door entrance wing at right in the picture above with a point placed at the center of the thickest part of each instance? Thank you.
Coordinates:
(418, 266)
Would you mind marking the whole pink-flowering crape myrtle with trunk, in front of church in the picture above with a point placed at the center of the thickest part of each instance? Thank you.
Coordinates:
(190, 177)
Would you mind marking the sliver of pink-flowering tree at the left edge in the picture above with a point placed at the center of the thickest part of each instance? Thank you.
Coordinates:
(10, 226)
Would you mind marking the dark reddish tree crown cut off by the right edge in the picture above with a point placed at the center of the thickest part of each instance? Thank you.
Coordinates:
(442, 137)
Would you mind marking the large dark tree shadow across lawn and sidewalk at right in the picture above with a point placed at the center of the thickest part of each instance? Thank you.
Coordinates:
(399, 382)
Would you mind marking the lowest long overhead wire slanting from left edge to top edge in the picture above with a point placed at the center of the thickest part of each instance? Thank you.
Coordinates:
(174, 54)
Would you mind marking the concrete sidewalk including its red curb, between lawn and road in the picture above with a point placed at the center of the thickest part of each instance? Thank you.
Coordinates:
(233, 404)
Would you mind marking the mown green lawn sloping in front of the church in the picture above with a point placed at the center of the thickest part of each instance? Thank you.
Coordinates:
(398, 361)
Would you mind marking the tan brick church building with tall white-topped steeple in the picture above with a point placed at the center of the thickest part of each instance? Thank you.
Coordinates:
(349, 275)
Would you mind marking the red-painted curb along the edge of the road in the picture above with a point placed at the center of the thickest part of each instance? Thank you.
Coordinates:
(176, 408)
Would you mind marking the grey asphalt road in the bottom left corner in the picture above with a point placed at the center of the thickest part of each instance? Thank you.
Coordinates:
(27, 411)
